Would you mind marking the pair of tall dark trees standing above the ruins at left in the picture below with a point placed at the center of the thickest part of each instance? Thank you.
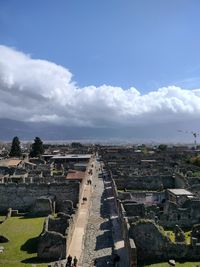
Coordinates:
(37, 148)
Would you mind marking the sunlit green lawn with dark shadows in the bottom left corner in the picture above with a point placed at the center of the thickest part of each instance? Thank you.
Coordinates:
(21, 250)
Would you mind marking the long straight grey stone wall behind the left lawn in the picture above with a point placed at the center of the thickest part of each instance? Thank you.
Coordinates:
(23, 196)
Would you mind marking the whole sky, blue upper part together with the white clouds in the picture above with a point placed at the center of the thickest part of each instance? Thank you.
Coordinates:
(100, 63)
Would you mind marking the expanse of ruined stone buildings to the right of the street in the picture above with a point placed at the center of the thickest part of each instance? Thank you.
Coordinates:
(158, 202)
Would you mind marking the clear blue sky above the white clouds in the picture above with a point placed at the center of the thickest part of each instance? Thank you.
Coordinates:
(146, 44)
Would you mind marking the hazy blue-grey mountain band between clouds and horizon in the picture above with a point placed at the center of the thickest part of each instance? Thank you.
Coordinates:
(47, 131)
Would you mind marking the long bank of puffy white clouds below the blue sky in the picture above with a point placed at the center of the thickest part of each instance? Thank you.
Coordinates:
(41, 91)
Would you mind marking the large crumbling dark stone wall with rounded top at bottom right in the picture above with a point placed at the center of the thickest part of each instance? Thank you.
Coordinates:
(152, 244)
